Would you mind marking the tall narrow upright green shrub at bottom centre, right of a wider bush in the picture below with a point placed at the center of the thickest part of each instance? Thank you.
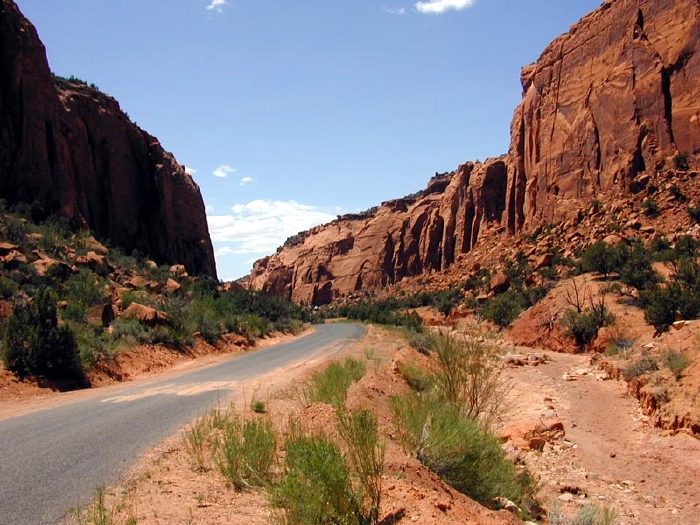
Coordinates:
(365, 455)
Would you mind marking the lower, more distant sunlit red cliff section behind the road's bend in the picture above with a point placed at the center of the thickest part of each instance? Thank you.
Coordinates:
(403, 237)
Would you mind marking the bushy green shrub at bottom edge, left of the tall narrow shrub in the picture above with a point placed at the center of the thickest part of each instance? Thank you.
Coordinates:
(315, 486)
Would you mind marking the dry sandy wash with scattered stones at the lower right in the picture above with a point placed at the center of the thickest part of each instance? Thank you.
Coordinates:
(610, 453)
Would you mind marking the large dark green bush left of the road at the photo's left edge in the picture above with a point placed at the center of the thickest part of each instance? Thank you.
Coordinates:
(34, 343)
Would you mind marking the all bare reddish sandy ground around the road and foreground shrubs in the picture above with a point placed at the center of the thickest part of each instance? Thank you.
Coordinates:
(609, 453)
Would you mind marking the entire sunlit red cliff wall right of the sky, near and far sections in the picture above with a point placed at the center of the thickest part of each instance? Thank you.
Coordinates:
(606, 102)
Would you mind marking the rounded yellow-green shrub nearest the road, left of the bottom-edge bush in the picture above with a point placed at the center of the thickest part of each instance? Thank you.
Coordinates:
(245, 451)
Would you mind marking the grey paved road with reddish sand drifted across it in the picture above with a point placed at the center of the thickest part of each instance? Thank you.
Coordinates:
(52, 459)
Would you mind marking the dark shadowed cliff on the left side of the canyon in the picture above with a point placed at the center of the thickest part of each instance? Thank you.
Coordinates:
(73, 150)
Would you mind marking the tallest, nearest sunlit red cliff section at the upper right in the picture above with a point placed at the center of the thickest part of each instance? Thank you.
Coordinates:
(610, 99)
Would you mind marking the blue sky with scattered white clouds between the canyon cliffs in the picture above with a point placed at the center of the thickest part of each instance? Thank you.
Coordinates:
(290, 112)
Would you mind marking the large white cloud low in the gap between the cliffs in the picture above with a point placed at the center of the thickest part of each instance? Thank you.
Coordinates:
(261, 226)
